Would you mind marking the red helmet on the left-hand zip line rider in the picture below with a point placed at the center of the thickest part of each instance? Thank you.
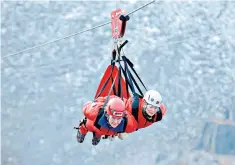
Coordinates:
(116, 108)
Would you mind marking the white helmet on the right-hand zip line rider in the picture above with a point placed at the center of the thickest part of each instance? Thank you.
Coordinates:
(153, 97)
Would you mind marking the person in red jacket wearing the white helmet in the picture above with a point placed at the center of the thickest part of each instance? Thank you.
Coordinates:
(146, 110)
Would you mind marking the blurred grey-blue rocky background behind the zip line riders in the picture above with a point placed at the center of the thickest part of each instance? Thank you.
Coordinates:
(185, 49)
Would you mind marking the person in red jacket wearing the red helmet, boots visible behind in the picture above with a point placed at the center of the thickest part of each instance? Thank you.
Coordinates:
(108, 121)
